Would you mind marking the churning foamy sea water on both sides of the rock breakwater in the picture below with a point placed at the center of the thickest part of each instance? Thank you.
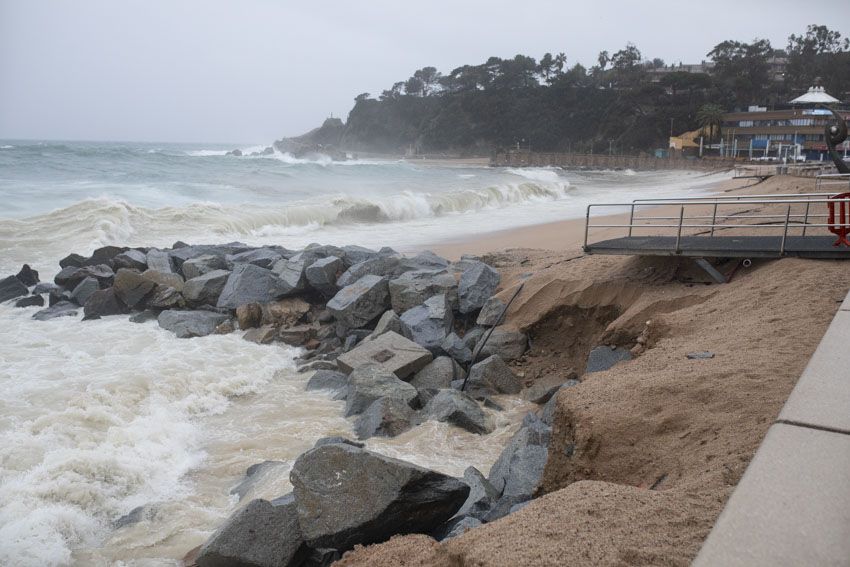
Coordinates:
(98, 418)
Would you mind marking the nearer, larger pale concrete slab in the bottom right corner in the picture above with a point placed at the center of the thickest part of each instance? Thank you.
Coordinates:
(792, 506)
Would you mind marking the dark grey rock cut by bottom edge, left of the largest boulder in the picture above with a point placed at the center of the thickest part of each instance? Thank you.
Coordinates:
(259, 535)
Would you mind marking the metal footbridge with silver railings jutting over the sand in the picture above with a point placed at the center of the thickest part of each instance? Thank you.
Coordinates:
(806, 225)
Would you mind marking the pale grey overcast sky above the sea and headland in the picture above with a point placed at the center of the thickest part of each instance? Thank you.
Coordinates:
(256, 70)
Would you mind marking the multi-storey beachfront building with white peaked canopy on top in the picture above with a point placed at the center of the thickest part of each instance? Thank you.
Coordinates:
(793, 133)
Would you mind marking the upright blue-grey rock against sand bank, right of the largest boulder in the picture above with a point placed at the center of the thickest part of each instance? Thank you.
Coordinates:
(518, 470)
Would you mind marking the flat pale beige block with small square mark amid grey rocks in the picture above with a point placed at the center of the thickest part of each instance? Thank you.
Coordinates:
(391, 352)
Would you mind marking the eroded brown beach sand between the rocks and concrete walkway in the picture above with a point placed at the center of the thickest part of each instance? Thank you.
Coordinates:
(642, 456)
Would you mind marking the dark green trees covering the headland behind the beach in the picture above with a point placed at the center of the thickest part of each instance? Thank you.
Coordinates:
(625, 102)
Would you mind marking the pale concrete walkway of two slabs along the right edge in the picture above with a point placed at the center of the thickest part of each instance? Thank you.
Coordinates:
(792, 506)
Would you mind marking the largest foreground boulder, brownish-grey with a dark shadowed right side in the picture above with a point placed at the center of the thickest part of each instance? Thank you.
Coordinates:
(348, 496)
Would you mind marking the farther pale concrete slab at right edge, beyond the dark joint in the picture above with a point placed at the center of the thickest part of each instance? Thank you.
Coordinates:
(821, 397)
